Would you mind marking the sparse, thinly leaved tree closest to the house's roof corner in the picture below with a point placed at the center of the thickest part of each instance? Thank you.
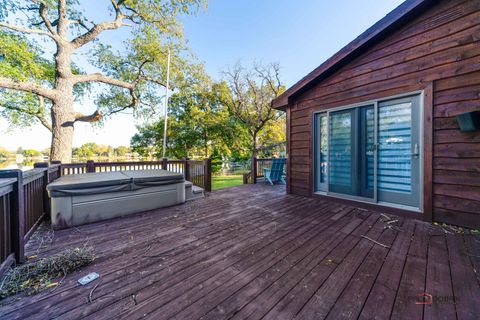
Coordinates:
(251, 94)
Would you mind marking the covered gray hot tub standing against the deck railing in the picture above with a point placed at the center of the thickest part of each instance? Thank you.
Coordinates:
(84, 198)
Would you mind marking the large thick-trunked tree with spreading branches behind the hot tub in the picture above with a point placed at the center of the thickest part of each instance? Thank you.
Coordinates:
(47, 84)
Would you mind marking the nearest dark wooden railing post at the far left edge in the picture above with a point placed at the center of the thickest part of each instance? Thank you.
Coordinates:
(17, 218)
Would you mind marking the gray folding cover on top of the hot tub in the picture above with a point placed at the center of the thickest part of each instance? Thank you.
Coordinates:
(103, 182)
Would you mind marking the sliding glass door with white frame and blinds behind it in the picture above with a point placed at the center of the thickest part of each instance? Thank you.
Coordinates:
(370, 152)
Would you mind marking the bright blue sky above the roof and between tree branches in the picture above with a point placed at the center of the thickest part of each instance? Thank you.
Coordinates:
(299, 35)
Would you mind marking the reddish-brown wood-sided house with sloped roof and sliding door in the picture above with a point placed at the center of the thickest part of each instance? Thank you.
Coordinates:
(376, 124)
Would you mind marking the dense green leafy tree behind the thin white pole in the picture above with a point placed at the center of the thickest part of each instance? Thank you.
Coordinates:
(198, 124)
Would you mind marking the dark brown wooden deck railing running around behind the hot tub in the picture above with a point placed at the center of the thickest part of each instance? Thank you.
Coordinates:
(24, 200)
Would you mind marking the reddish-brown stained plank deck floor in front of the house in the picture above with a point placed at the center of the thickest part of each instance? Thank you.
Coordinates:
(255, 252)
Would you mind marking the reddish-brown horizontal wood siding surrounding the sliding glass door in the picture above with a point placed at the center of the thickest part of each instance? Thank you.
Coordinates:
(440, 49)
